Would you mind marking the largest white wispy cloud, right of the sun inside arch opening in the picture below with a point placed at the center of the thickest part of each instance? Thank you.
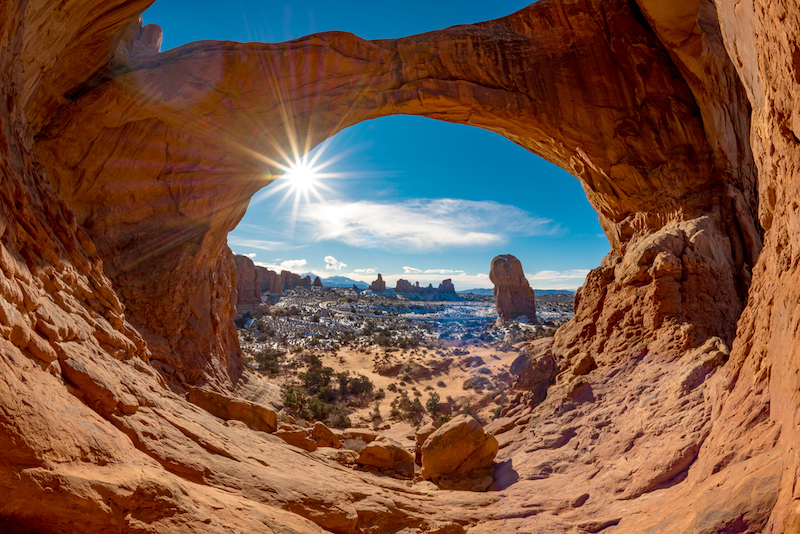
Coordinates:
(422, 224)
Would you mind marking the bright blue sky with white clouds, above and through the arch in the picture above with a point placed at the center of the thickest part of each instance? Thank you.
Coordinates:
(408, 197)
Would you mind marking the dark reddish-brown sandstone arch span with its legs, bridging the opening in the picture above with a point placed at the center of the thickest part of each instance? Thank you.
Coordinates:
(213, 117)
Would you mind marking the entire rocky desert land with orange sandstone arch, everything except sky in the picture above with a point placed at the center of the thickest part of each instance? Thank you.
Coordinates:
(662, 398)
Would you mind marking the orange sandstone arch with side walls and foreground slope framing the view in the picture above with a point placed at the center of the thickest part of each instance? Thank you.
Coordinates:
(151, 159)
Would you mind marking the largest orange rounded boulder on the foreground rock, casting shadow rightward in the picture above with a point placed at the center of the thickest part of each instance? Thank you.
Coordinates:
(458, 447)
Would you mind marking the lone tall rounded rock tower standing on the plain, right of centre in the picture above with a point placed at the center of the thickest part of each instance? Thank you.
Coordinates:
(514, 295)
